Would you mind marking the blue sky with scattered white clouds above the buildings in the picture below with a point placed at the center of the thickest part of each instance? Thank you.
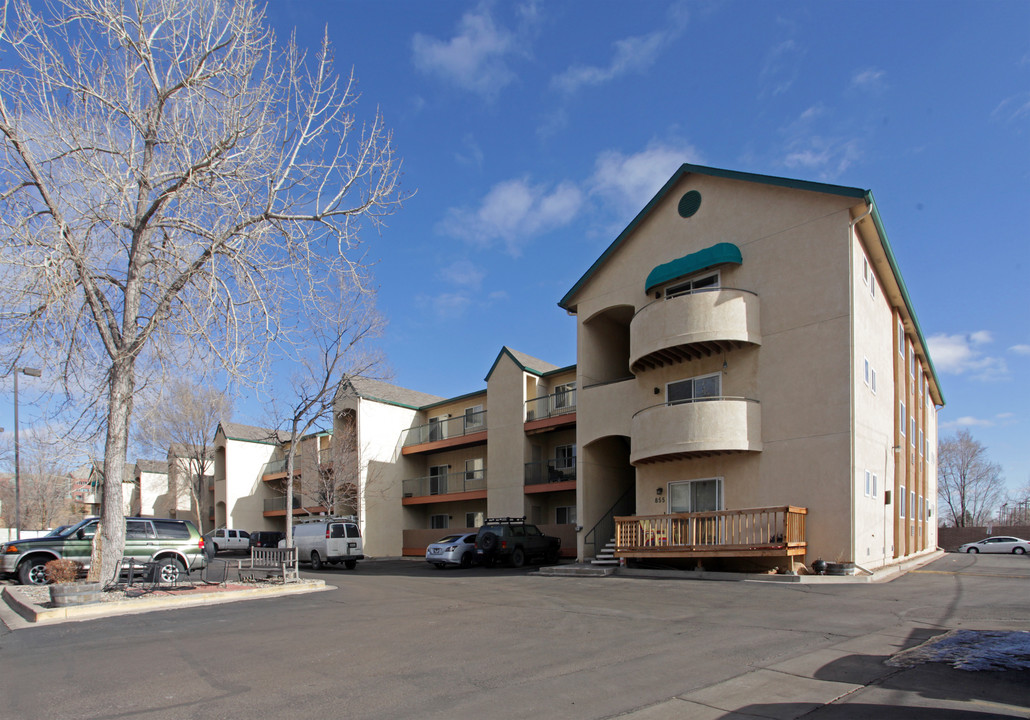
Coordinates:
(532, 133)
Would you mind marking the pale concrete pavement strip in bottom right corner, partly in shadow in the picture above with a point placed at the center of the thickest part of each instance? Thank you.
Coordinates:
(852, 680)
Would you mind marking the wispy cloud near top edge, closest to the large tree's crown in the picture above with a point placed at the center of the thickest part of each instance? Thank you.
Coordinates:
(476, 59)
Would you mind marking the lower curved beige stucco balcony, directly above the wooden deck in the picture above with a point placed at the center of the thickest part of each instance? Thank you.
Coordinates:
(704, 427)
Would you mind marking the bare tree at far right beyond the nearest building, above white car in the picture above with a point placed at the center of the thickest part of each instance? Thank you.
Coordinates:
(969, 485)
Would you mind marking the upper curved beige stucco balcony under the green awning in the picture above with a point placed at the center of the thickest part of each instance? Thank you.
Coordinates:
(698, 325)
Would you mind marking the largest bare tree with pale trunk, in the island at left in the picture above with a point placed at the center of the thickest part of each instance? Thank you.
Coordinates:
(175, 187)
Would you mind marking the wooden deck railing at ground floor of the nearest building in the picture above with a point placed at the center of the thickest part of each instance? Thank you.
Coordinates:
(778, 531)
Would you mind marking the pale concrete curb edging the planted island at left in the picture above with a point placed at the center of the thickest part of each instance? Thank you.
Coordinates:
(38, 614)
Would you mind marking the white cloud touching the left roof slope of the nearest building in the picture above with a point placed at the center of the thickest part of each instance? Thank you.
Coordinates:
(629, 183)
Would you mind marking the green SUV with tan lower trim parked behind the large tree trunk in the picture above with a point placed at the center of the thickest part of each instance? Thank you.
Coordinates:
(176, 546)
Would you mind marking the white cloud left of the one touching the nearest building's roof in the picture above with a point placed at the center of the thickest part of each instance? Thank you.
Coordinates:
(513, 213)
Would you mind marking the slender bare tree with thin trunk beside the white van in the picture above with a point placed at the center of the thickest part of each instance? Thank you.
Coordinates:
(332, 354)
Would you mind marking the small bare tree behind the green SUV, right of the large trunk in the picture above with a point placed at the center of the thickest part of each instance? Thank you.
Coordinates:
(181, 422)
